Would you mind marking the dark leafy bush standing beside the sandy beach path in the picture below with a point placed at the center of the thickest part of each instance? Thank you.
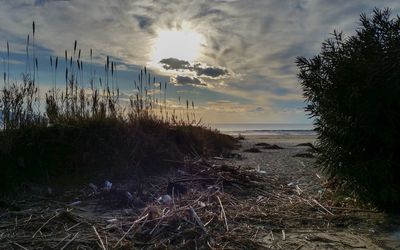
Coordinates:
(352, 88)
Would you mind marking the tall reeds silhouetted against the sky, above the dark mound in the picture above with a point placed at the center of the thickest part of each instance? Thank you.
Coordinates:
(20, 102)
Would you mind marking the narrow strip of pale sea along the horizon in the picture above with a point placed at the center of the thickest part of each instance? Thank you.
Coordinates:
(265, 128)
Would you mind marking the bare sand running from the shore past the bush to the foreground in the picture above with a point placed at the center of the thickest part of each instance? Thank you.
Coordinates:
(352, 229)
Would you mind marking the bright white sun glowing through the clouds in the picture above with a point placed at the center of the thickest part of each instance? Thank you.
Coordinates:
(184, 44)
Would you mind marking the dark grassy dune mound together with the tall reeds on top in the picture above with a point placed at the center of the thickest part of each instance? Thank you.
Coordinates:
(71, 132)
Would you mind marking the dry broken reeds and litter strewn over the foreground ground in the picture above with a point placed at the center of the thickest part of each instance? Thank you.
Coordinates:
(222, 198)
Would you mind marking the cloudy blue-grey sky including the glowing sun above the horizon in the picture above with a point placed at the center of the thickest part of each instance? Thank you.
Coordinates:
(234, 58)
